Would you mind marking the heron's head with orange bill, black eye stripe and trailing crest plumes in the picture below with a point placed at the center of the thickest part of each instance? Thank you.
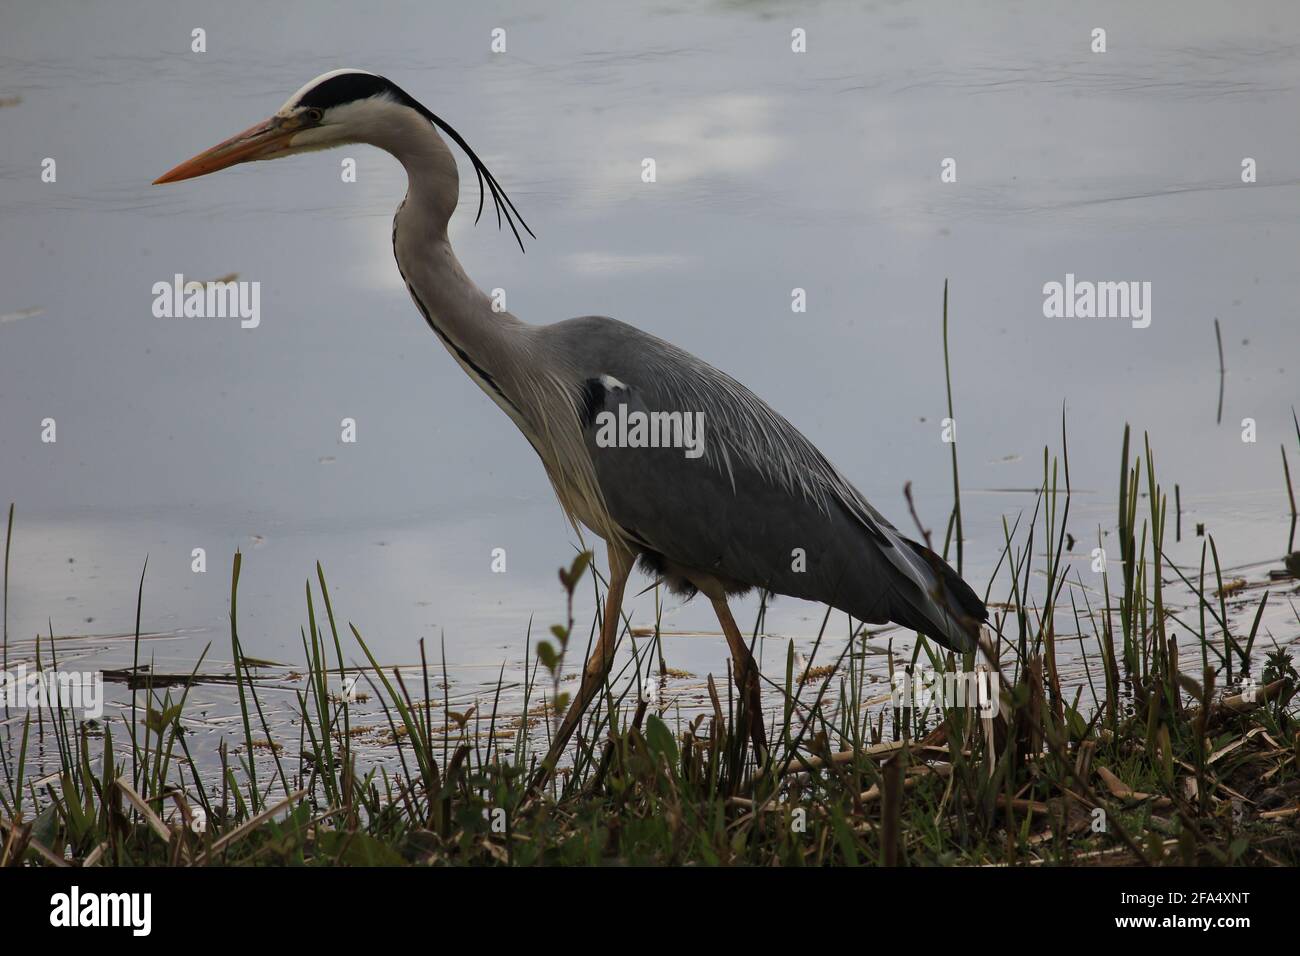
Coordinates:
(352, 107)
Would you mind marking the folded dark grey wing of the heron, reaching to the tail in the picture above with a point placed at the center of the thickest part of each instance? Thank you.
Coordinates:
(753, 503)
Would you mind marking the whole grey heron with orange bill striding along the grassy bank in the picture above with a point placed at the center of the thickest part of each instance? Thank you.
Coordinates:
(756, 507)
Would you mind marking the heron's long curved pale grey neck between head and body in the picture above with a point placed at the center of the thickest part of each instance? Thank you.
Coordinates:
(489, 345)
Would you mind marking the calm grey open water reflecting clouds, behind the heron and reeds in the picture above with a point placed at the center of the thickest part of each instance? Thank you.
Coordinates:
(777, 171)
